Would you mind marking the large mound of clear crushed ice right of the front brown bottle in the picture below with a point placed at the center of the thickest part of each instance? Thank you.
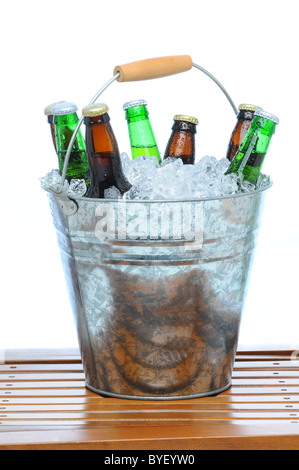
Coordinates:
(174, 180)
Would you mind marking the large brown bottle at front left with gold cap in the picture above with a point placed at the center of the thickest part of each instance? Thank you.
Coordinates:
(102, 152)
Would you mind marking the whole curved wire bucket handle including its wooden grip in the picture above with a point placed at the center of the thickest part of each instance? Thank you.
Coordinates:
(134, 71)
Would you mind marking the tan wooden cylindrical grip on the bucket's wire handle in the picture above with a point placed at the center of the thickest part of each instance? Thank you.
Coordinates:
(153, 68)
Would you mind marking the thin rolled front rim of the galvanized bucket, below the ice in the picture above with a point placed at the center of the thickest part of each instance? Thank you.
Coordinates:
(193, 200)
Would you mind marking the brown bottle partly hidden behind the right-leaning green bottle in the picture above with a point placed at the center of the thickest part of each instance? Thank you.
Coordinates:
(244, 119)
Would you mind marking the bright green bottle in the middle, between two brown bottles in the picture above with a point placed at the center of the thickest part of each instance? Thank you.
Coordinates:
(141, 134)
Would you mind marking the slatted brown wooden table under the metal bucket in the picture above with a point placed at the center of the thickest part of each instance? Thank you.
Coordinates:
(45, 405)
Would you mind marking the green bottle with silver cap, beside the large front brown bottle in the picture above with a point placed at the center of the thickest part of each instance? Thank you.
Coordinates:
(65, 121)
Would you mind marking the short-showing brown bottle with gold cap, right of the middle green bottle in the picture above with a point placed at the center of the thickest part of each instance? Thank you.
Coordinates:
(181, 143)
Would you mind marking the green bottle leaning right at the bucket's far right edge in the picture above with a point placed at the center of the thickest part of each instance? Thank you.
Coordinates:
(250, 157)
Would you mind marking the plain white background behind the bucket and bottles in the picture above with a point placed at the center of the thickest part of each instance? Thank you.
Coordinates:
(66, 50)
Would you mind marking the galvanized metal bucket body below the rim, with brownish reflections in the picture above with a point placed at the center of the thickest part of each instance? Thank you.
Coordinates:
(157, 290)
